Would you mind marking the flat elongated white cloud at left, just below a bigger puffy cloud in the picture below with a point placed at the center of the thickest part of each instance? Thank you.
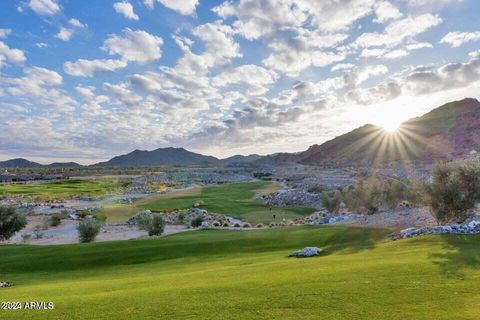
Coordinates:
(90, 68)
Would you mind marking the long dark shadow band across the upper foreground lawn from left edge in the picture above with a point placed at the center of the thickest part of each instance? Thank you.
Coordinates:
(203, 245)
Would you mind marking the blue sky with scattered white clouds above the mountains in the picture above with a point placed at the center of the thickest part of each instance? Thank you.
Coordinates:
(87, 80)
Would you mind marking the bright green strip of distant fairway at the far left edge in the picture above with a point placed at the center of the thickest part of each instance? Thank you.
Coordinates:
(58, 189)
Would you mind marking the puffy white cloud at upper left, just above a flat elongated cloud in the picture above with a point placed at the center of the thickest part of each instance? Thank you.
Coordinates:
(139, 46)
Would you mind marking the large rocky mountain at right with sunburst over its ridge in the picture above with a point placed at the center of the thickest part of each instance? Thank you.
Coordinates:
(449, 132)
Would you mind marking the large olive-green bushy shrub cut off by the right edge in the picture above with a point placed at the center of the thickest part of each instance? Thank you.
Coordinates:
(454, 191)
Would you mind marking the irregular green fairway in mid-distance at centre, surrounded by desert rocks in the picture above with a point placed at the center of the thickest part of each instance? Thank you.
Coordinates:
(236, 200)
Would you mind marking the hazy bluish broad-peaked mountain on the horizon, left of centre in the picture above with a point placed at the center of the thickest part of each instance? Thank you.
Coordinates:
(158, 157)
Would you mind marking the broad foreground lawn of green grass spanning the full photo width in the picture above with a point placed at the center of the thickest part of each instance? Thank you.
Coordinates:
(246, 275)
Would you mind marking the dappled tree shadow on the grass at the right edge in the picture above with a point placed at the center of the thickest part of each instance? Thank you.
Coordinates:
(461, 252)
